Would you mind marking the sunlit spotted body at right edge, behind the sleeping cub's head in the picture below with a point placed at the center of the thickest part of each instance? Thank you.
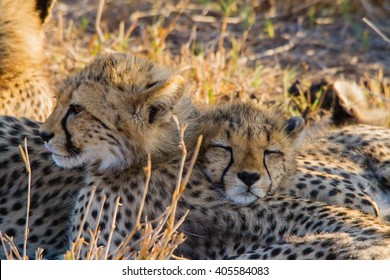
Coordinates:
(356, 159)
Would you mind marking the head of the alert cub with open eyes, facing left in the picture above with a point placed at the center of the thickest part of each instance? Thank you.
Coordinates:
(112, 113)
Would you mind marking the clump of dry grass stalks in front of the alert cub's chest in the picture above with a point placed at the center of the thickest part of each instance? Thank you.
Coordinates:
(159, 238)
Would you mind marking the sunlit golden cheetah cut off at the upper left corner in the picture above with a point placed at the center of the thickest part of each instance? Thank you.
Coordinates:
(25, 90)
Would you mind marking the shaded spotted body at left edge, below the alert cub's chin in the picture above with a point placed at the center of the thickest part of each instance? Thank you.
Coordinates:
(53, 191)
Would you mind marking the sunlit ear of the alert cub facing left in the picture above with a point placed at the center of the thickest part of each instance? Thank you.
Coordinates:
(161, 101)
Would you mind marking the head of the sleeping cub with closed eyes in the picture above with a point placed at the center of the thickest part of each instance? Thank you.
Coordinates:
(247, 152)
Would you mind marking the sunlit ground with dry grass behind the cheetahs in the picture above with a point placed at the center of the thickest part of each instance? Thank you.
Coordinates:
(279, 54)
